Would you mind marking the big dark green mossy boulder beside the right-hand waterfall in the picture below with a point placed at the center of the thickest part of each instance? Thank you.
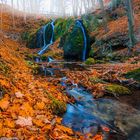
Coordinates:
(73, 44)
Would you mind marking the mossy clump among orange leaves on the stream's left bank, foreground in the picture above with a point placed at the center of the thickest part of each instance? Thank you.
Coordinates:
(57, 107)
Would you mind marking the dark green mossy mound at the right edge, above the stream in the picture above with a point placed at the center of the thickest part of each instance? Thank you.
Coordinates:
(135, 74)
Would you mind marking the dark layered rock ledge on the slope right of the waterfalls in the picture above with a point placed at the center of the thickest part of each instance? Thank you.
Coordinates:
(105, 46)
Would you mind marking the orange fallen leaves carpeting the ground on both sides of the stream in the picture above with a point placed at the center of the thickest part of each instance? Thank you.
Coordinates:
(27, 100)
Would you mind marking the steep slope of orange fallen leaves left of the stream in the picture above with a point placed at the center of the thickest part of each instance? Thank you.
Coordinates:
(26, 108)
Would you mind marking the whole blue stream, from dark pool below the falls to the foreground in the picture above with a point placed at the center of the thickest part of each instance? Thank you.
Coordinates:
(89, 115)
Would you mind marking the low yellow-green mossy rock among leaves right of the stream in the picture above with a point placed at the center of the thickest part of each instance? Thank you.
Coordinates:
(117, 90)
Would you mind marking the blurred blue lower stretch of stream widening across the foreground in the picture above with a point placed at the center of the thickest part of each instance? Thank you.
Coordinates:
(88, 115)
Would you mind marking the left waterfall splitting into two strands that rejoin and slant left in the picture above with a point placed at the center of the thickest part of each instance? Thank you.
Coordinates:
(46, 46)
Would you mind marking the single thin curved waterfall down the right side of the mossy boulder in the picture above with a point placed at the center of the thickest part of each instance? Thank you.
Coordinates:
(85, 39)
